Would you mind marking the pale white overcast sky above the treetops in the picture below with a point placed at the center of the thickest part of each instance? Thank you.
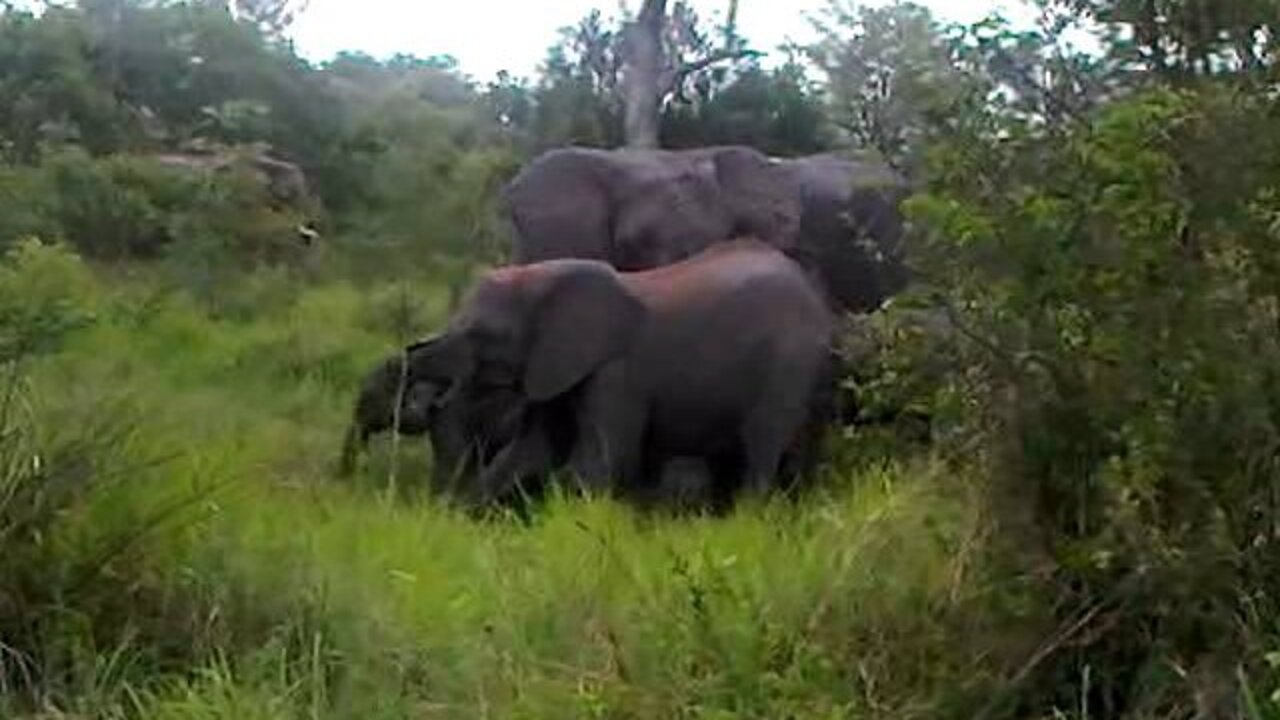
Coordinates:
(492, 35)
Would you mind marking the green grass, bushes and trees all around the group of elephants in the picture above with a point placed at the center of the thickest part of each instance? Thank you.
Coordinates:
(1063, 504)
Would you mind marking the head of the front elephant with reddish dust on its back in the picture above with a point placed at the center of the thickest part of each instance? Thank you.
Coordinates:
(523, 339)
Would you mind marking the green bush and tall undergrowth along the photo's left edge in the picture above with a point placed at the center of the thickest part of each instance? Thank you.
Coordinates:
(72, 522)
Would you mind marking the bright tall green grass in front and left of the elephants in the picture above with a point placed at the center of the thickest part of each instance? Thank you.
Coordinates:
(241, 580)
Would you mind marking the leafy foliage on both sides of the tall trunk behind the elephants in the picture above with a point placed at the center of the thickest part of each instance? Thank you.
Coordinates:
(578, 98)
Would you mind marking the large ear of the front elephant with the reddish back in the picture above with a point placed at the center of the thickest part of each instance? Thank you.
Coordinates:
(586, 318)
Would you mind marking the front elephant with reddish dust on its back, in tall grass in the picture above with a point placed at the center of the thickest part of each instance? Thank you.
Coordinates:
(717, 357)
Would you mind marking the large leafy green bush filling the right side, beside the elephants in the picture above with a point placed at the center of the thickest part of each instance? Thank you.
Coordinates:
(1118, 375)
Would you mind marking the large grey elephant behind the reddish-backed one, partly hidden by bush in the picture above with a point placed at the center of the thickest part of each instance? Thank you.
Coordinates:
(643, 209)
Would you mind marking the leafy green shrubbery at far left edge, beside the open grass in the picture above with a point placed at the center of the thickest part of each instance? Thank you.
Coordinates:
(61, 568)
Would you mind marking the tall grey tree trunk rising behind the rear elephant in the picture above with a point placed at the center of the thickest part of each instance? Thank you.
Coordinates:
(643, 72)
